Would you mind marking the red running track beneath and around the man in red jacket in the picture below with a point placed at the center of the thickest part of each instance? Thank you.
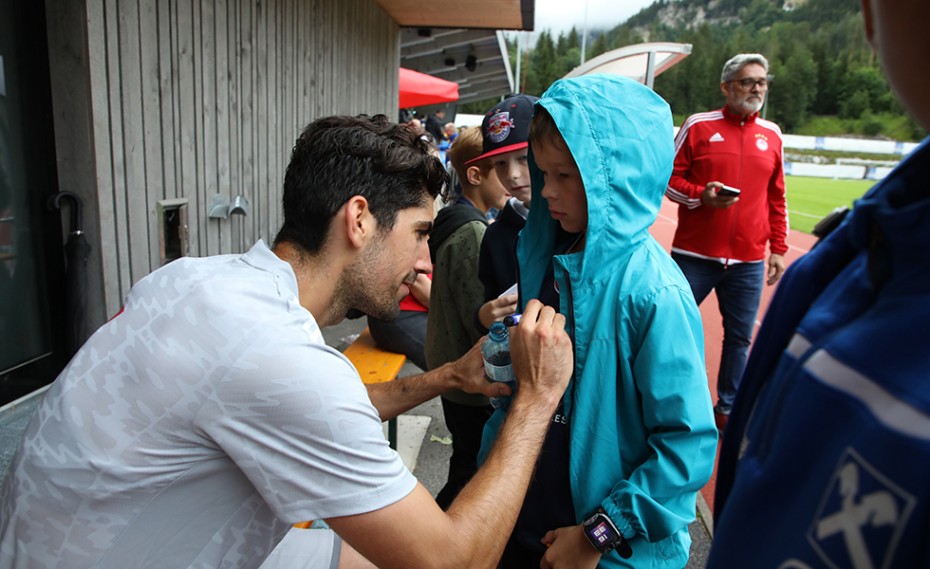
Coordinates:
(664, 230)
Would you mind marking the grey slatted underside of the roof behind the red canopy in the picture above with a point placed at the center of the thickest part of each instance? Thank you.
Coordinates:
(476, 59)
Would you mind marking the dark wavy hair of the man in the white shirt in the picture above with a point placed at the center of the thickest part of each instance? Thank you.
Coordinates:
(339, 157)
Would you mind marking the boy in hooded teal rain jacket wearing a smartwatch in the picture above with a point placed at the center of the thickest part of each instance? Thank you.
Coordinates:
(634, 438)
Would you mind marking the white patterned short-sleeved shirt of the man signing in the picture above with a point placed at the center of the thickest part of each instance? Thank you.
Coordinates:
(194, 428)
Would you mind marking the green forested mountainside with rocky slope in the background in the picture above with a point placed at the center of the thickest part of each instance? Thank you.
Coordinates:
(826, 77)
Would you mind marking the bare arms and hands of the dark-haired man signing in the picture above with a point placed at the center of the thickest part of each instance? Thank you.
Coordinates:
(413, 532)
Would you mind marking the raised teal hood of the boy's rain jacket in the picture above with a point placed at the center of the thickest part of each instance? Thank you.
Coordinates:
(620, 135)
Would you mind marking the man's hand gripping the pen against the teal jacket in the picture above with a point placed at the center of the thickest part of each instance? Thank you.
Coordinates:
(541, 351)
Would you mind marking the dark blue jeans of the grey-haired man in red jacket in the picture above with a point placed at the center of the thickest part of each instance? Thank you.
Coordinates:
(739, 290)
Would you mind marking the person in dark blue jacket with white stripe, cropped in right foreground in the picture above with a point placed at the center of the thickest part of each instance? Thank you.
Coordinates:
(826, 457)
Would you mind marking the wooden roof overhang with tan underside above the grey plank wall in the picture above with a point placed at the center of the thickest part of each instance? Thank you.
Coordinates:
(478, 14)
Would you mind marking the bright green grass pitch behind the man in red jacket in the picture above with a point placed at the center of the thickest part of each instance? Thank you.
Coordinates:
(810, 199)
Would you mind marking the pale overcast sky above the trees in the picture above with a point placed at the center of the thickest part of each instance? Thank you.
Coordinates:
(560, 15)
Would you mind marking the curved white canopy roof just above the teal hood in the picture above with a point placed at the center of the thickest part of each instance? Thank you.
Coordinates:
(643, 62)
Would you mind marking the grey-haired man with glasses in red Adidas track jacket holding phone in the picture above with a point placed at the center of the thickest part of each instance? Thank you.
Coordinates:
(729, 183)
